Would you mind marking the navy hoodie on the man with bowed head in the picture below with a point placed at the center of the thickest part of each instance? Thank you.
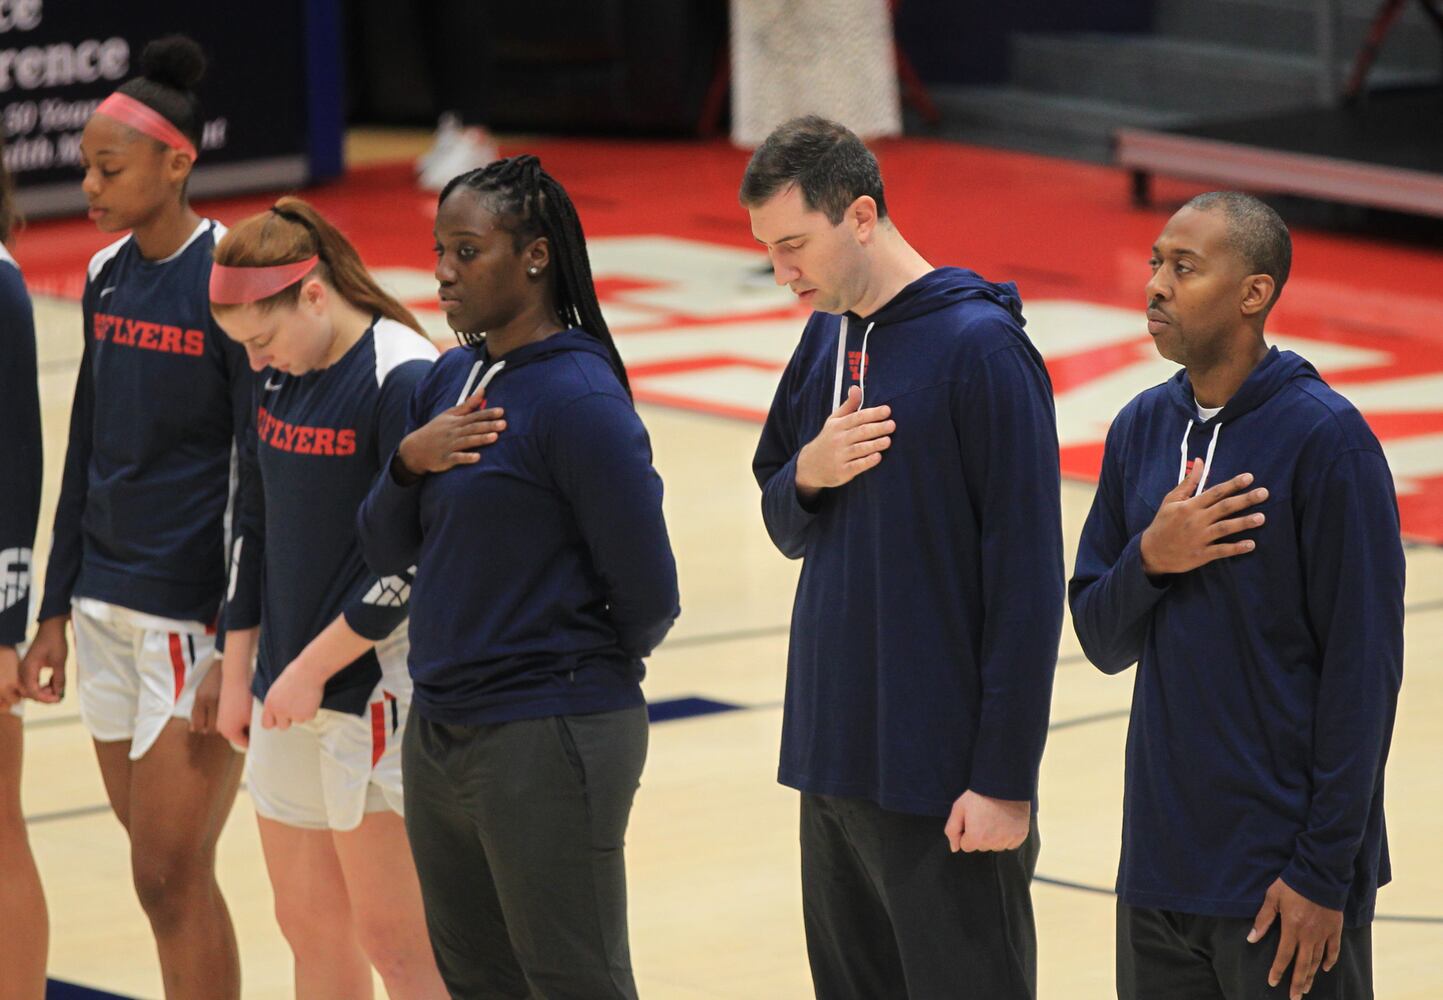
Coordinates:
(930, 605)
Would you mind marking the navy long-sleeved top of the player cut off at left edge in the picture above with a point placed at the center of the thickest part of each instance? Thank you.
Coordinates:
(21, 454)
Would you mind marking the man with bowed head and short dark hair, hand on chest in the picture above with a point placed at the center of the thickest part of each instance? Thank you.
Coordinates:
(911, 460)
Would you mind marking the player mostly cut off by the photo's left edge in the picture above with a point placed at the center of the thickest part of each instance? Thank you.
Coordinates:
(22, 903)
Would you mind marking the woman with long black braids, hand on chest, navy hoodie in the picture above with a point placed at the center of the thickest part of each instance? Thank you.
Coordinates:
(543, 578)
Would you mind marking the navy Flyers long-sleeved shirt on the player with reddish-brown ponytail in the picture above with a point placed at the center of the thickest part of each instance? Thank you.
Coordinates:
(314, 451)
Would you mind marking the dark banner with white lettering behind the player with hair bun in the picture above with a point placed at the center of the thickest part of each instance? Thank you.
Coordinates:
(60, 58)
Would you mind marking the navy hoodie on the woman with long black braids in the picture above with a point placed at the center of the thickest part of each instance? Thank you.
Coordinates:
(543, 572)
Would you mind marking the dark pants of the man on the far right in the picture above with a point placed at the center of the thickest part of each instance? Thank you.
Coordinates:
(1168, 956)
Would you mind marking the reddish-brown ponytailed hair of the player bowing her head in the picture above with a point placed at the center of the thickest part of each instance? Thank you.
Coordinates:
(292, 232)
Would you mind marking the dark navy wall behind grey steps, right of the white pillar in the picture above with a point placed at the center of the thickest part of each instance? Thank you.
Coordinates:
(966, 41)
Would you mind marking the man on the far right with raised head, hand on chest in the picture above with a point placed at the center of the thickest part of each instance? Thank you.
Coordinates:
(1243, 549)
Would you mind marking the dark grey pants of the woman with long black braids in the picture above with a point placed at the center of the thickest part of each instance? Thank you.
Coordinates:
(517, 830)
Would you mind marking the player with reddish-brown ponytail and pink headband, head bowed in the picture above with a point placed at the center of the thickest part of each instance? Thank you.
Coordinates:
(323, 716)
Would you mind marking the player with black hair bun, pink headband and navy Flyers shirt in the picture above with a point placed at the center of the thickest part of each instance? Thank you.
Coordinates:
(138, 563)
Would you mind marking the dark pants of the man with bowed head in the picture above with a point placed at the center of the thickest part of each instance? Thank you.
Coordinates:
(892, 914)
